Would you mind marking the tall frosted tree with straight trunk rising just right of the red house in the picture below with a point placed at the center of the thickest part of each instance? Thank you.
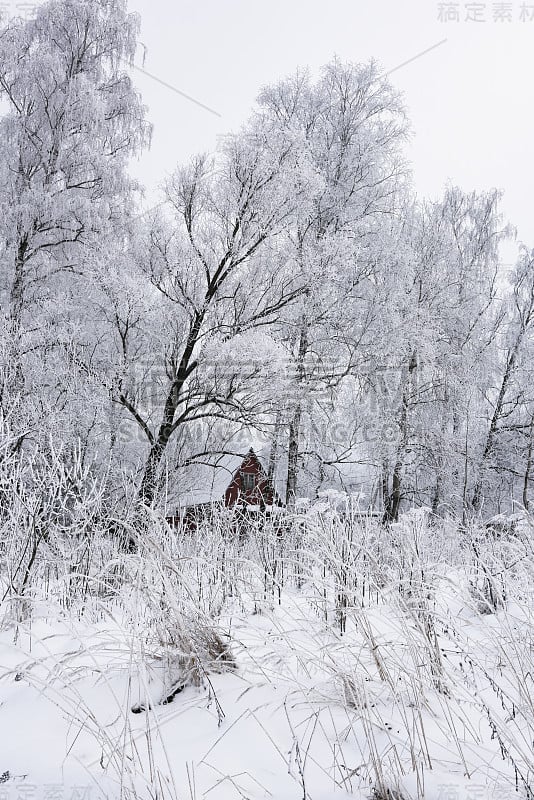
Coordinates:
(347, 130)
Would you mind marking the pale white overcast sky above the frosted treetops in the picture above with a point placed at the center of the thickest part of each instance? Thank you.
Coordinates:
(470, 99)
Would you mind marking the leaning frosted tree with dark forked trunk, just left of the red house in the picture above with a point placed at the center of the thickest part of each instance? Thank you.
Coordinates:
(213, 277)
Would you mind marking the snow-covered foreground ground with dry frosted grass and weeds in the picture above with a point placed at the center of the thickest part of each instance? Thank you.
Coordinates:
(424, 694)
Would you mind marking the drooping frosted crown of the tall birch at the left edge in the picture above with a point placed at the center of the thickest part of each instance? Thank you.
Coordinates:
(73, 121)
